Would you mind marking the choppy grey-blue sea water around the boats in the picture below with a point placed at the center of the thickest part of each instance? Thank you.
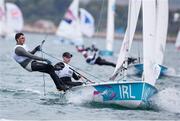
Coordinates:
(22, 93)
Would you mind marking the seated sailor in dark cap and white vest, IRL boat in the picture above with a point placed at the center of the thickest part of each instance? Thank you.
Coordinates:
(66, 72)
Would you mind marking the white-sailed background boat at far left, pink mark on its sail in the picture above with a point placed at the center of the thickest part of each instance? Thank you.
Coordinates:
(11, 19)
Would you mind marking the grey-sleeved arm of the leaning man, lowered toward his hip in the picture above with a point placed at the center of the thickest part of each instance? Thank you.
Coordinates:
(22, 52)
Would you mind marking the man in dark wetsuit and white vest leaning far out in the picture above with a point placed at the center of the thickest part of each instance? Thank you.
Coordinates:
(30, 62)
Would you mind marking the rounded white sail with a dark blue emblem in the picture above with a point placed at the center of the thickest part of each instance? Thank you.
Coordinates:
(87, 23)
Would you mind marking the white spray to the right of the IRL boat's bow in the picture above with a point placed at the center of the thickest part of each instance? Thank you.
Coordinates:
(168, 100)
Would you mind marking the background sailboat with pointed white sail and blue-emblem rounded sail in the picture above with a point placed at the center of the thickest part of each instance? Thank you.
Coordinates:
(73, 26)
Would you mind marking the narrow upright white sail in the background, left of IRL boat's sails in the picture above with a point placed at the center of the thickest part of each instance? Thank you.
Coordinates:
(110, 25)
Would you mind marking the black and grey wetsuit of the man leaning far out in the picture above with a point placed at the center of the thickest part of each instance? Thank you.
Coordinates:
(39, 66)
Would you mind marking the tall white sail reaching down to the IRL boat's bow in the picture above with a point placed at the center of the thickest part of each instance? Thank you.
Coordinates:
(149, 40)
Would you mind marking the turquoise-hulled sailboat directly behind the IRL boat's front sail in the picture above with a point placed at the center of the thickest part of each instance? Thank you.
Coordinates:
(161, 23)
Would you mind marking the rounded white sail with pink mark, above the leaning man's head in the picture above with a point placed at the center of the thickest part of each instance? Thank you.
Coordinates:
(14, 15)
